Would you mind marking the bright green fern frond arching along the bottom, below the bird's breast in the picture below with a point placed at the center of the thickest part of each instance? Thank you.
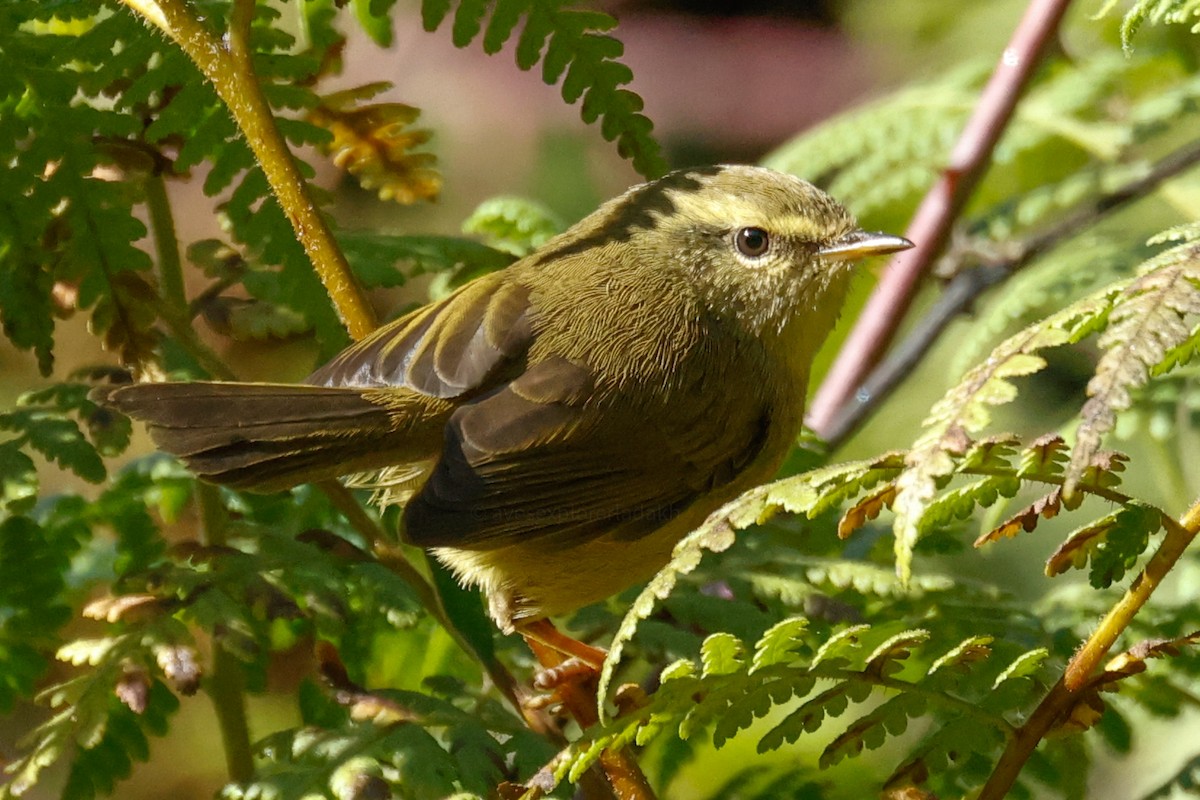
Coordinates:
(734, 687)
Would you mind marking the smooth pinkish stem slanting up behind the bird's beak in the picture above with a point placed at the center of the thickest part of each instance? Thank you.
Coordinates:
(943, 206)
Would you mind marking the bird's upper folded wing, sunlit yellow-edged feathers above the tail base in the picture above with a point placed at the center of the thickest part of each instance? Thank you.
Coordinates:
(464, 345)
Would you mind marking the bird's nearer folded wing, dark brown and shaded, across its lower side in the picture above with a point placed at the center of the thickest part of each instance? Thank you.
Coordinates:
(538, 460)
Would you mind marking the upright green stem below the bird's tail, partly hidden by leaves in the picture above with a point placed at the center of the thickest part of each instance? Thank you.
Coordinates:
(226, 685)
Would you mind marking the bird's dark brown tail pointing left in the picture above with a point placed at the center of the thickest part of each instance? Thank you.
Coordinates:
(266, 437)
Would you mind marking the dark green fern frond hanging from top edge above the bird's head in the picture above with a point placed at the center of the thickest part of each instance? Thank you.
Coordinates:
(577, 51)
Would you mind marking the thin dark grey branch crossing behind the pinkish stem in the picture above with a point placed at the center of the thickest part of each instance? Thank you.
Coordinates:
(969, 285)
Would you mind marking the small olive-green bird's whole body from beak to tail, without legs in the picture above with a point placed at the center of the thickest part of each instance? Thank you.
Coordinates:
(562, 424)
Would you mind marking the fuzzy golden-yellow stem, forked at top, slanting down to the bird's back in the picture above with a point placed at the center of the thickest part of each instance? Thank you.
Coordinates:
(229, 68)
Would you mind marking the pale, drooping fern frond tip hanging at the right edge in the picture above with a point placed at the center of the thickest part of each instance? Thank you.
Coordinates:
(1148, 322)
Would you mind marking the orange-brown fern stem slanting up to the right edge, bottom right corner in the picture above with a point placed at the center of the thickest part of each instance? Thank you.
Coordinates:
(1066, 693)
